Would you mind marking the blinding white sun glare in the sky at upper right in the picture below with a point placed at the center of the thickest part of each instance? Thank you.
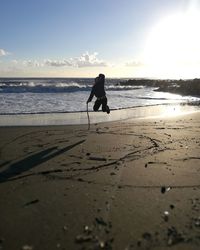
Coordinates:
(173, 45)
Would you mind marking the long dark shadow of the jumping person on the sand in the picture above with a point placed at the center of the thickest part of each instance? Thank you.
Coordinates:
(33, 161)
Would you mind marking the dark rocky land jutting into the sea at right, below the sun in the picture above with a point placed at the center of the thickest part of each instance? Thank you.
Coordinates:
(182, 87)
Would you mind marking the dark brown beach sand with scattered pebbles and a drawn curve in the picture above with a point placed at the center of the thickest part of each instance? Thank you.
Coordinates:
(122, 185)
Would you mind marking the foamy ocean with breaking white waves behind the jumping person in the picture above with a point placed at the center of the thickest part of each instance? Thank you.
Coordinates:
(63, 95)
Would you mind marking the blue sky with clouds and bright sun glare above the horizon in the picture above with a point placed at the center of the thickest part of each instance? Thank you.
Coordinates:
(82, 38)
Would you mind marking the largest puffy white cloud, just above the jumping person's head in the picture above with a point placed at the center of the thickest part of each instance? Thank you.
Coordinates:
(85, 60)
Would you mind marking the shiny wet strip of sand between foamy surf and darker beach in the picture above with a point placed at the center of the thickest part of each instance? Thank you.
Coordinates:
(75, 118)
